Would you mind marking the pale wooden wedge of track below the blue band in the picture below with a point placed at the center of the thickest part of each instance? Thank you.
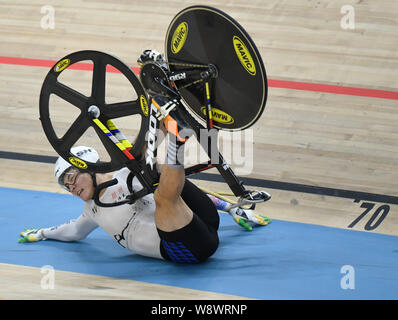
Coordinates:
(77, 286)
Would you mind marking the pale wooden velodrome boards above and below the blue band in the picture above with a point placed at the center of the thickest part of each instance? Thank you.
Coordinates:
(326, 143)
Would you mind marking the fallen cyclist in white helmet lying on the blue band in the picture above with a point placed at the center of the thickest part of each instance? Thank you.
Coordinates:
(178, 222)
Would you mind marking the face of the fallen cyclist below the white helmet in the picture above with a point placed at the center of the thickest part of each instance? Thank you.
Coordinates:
(79, 184)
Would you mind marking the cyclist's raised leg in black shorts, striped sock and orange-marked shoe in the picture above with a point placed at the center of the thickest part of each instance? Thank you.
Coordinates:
(185, 237)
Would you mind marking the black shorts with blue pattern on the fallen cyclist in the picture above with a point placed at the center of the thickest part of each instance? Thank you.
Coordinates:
(198, 240)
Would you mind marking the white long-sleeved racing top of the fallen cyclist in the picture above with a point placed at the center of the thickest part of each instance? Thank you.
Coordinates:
(132, 226)
